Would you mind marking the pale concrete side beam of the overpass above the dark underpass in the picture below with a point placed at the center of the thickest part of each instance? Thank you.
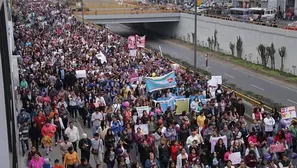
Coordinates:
(133, 18)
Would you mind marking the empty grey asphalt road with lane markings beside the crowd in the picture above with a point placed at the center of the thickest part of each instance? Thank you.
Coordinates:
(287, 95)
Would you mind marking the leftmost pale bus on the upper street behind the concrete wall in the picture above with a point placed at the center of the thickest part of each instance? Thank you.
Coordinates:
(241, 14)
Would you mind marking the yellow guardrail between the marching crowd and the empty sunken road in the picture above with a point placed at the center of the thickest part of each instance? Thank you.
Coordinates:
(252, 100)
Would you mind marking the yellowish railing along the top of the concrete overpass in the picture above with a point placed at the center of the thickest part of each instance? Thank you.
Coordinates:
(110, 12)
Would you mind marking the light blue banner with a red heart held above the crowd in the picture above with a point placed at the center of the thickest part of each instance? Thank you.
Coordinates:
(162, 82)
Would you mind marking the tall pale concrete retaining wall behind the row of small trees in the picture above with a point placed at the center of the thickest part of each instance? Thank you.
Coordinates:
(228, 31)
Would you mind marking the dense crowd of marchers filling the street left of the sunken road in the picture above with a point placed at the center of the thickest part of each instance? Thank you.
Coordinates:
(54, 44)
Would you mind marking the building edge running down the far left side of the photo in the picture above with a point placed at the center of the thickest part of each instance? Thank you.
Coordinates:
(9, 155)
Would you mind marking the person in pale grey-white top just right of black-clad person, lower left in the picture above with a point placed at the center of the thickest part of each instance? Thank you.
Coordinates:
(97, 149)
